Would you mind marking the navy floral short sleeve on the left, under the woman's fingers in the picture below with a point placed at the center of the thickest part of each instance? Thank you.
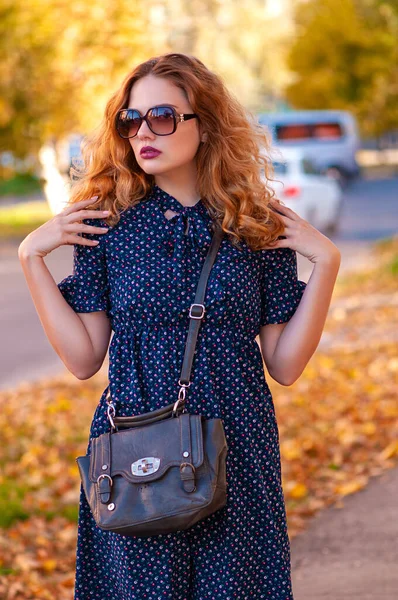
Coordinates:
(86, 290)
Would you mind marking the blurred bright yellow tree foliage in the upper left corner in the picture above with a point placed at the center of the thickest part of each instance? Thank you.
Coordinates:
(59, 60)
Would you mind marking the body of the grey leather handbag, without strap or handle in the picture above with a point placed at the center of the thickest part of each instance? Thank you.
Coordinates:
(169, 499)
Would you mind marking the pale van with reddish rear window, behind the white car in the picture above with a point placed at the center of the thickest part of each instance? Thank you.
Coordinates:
(329, 138)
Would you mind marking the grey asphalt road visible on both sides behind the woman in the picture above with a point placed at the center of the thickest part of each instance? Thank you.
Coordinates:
(370, 212)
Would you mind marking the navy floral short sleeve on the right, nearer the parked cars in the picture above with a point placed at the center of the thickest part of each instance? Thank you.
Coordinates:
(281, 291)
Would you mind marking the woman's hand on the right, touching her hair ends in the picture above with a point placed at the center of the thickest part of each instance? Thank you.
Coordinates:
(303, 237)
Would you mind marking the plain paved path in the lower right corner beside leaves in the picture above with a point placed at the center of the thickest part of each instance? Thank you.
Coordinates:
(352, 552)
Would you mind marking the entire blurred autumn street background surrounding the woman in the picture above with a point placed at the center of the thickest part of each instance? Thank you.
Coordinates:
(322, 77)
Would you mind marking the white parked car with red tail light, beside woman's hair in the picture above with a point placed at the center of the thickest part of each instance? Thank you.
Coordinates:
(302, 187)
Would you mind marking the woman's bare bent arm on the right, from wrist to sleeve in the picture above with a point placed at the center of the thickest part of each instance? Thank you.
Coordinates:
(300, 336)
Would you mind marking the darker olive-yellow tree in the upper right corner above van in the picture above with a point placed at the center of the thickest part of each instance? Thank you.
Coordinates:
(345, 56)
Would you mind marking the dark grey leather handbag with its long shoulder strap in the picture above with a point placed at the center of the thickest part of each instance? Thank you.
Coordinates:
(164, 470)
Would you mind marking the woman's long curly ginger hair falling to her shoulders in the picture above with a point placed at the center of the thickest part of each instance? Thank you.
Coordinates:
(229, 165)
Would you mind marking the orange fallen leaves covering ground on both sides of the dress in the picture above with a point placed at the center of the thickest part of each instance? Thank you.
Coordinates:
(338, 427)
